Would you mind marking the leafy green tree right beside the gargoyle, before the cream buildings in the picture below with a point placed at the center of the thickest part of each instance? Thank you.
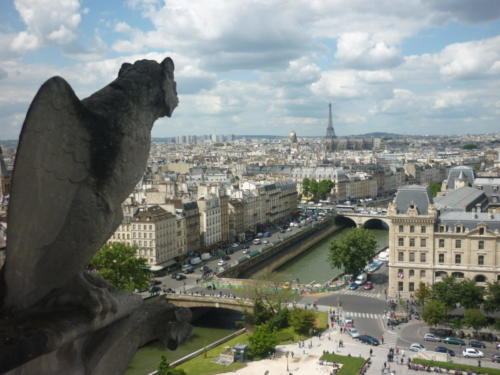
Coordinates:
(118, 264)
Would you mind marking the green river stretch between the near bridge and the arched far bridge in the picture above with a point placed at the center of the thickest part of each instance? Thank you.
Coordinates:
(313, 265)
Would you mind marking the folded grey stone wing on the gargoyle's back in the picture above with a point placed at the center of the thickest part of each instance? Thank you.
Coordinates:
(53, 158)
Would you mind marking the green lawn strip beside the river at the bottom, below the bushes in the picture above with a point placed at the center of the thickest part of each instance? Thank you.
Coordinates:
(204, 366)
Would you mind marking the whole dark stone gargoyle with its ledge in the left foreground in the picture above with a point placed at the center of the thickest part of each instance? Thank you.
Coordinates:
(76, 162)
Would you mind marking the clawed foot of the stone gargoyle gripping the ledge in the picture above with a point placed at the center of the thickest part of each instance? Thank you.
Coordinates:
(86, 293)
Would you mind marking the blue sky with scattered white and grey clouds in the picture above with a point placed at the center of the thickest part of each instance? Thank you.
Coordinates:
(269, 66)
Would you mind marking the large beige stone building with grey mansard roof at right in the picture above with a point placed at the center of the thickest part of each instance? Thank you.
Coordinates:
(427, 243)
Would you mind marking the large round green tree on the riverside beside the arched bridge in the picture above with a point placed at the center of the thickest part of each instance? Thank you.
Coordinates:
(354, 251)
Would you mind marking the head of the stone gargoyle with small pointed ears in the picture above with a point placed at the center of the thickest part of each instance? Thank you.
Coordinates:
(154, 83)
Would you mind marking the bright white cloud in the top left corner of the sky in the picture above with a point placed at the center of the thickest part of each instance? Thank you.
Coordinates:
(47, 22)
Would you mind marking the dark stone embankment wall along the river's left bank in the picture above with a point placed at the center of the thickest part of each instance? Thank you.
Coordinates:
(278, 254)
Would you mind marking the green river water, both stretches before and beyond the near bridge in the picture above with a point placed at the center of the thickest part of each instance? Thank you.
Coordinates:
(310, 266)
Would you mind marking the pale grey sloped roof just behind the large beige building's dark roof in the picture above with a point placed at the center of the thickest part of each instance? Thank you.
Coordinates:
(463, 199)
